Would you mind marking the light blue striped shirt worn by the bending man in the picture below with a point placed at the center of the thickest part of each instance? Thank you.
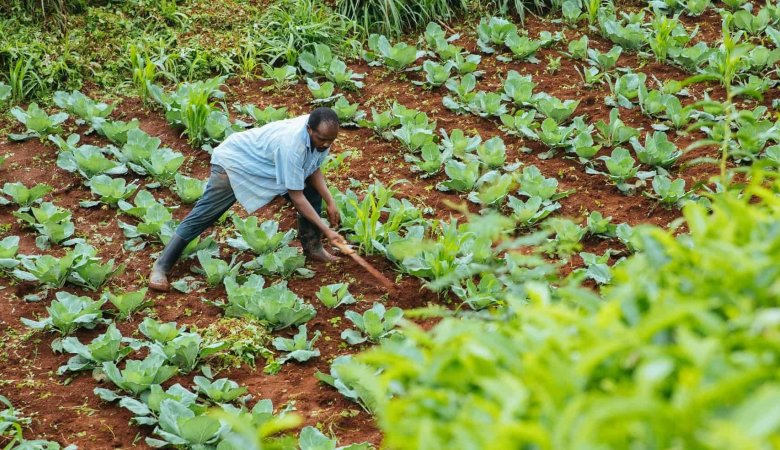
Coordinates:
(264, 162)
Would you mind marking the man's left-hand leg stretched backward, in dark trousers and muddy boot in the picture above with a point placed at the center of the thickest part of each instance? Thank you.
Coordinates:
(217, 198)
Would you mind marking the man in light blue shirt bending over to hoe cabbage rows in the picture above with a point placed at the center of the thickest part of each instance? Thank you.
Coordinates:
(253, 167)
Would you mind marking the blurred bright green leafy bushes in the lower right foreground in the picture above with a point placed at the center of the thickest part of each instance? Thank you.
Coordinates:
(684, 356)
